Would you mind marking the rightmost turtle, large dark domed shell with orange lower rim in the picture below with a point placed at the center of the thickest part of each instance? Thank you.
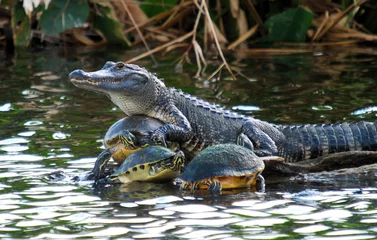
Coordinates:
(223, 166)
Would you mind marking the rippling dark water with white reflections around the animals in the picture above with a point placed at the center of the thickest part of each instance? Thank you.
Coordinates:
(46, 124)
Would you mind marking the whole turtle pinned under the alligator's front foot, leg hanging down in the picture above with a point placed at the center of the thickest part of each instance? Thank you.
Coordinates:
(124, 137)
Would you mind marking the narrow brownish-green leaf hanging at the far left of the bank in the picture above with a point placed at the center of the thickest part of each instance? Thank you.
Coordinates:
(21, 26)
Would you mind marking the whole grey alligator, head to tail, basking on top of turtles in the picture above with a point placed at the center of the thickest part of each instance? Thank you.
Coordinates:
(196, 123)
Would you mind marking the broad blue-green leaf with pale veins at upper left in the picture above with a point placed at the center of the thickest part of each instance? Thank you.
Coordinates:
(62, 15)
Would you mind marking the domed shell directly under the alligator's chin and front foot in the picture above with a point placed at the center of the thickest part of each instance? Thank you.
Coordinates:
(138, 125)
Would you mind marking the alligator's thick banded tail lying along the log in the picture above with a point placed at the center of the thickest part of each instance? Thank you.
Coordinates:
(311, 141)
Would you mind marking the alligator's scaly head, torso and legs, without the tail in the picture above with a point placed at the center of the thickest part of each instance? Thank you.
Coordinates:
(191, 121)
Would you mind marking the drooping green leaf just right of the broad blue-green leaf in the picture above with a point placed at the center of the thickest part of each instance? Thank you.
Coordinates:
(109, 25)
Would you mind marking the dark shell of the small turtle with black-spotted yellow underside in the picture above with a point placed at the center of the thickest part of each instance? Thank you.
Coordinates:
(144, 156)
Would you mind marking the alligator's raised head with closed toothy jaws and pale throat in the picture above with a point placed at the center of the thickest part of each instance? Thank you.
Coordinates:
(130, 87)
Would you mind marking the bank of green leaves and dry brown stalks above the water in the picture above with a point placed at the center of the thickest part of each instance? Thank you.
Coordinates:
(199, 28)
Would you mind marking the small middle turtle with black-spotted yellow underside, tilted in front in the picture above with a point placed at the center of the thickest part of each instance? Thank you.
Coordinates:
(152, 164)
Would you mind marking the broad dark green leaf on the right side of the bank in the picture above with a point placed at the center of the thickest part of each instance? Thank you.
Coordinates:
(289, 26)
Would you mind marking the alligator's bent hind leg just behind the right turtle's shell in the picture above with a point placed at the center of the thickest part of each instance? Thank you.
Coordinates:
(262, 142)
